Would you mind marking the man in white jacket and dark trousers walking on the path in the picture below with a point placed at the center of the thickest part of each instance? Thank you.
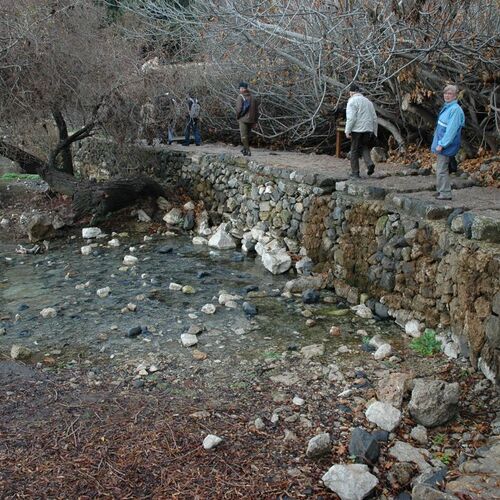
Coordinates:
(361, 127)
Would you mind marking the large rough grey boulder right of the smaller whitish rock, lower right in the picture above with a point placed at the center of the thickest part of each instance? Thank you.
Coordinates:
(434, 402)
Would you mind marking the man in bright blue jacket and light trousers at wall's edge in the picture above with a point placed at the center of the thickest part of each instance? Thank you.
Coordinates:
(447, 137)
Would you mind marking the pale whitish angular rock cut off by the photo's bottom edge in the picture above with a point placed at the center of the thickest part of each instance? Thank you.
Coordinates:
(350, 482)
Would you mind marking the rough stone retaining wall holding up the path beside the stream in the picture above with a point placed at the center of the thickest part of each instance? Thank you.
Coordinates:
(409, 266)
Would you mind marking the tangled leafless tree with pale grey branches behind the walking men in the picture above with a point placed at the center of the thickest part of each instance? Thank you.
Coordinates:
(302, 56)
